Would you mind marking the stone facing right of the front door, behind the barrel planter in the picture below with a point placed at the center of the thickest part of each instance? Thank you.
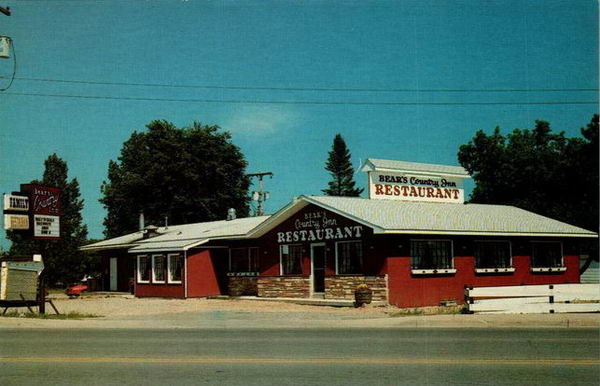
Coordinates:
(342, 287)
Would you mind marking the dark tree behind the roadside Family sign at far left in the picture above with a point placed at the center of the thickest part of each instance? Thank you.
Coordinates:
(63, 262)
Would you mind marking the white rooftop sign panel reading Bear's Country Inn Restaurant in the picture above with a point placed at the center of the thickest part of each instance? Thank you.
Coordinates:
(398, 186)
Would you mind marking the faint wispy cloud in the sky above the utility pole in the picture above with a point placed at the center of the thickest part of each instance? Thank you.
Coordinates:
(261, 120)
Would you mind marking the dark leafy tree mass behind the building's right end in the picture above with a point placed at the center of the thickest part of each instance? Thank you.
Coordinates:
(538, 170)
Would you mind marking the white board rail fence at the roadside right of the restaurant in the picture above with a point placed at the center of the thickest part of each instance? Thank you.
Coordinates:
(533, 299)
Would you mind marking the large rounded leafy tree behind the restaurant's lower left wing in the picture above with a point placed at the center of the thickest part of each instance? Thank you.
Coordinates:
(191, 174)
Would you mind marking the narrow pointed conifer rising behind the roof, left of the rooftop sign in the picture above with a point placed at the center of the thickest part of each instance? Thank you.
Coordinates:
(340, 167)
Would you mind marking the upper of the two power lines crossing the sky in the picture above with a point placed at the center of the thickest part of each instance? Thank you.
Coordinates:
(333, 89)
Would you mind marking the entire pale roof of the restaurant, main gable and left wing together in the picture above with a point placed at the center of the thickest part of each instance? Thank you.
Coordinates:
(383, 216)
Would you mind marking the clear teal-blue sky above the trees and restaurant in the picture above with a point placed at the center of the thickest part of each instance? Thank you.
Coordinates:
(382, 46)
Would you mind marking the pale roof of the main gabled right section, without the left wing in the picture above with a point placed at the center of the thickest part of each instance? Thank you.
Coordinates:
(402, 217)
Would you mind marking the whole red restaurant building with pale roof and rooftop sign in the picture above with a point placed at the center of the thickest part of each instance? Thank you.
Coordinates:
(413, 241)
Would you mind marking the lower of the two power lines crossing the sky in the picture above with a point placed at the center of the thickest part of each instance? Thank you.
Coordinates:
(289, 102)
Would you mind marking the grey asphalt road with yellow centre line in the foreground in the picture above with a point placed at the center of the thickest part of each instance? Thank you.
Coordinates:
(300, 356)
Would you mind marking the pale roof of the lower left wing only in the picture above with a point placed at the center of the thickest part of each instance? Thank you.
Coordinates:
(180, 237)
